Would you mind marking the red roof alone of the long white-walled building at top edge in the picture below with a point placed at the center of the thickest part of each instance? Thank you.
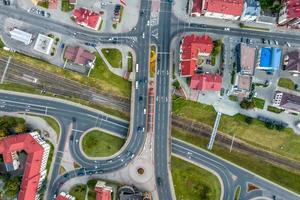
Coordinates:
(228, 7)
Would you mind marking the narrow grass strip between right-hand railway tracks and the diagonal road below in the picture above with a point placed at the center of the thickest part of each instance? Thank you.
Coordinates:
(286, 178)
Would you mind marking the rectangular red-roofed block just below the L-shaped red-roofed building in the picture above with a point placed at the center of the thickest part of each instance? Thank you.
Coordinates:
(206, 82)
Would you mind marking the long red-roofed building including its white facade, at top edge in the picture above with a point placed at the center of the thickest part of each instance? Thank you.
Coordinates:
(223, 9)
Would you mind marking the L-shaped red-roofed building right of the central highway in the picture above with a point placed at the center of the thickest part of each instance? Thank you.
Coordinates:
(191, 48)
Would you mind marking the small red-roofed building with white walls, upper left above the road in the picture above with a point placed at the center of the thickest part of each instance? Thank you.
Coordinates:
(87, 18)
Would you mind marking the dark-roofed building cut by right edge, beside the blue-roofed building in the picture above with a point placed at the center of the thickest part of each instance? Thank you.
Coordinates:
(291, 62)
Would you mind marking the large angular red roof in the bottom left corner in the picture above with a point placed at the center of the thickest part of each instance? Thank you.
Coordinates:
(34, 150)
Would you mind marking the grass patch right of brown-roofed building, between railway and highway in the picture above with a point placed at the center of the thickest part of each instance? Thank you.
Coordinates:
(110, 81)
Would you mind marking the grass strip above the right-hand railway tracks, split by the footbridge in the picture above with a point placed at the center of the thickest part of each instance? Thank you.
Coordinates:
(285, 143)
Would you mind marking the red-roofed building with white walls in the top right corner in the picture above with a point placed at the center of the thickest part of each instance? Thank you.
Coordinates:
(290, 13)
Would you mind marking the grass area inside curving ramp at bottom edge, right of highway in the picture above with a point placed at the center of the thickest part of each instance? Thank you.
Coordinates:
(192, 182)
